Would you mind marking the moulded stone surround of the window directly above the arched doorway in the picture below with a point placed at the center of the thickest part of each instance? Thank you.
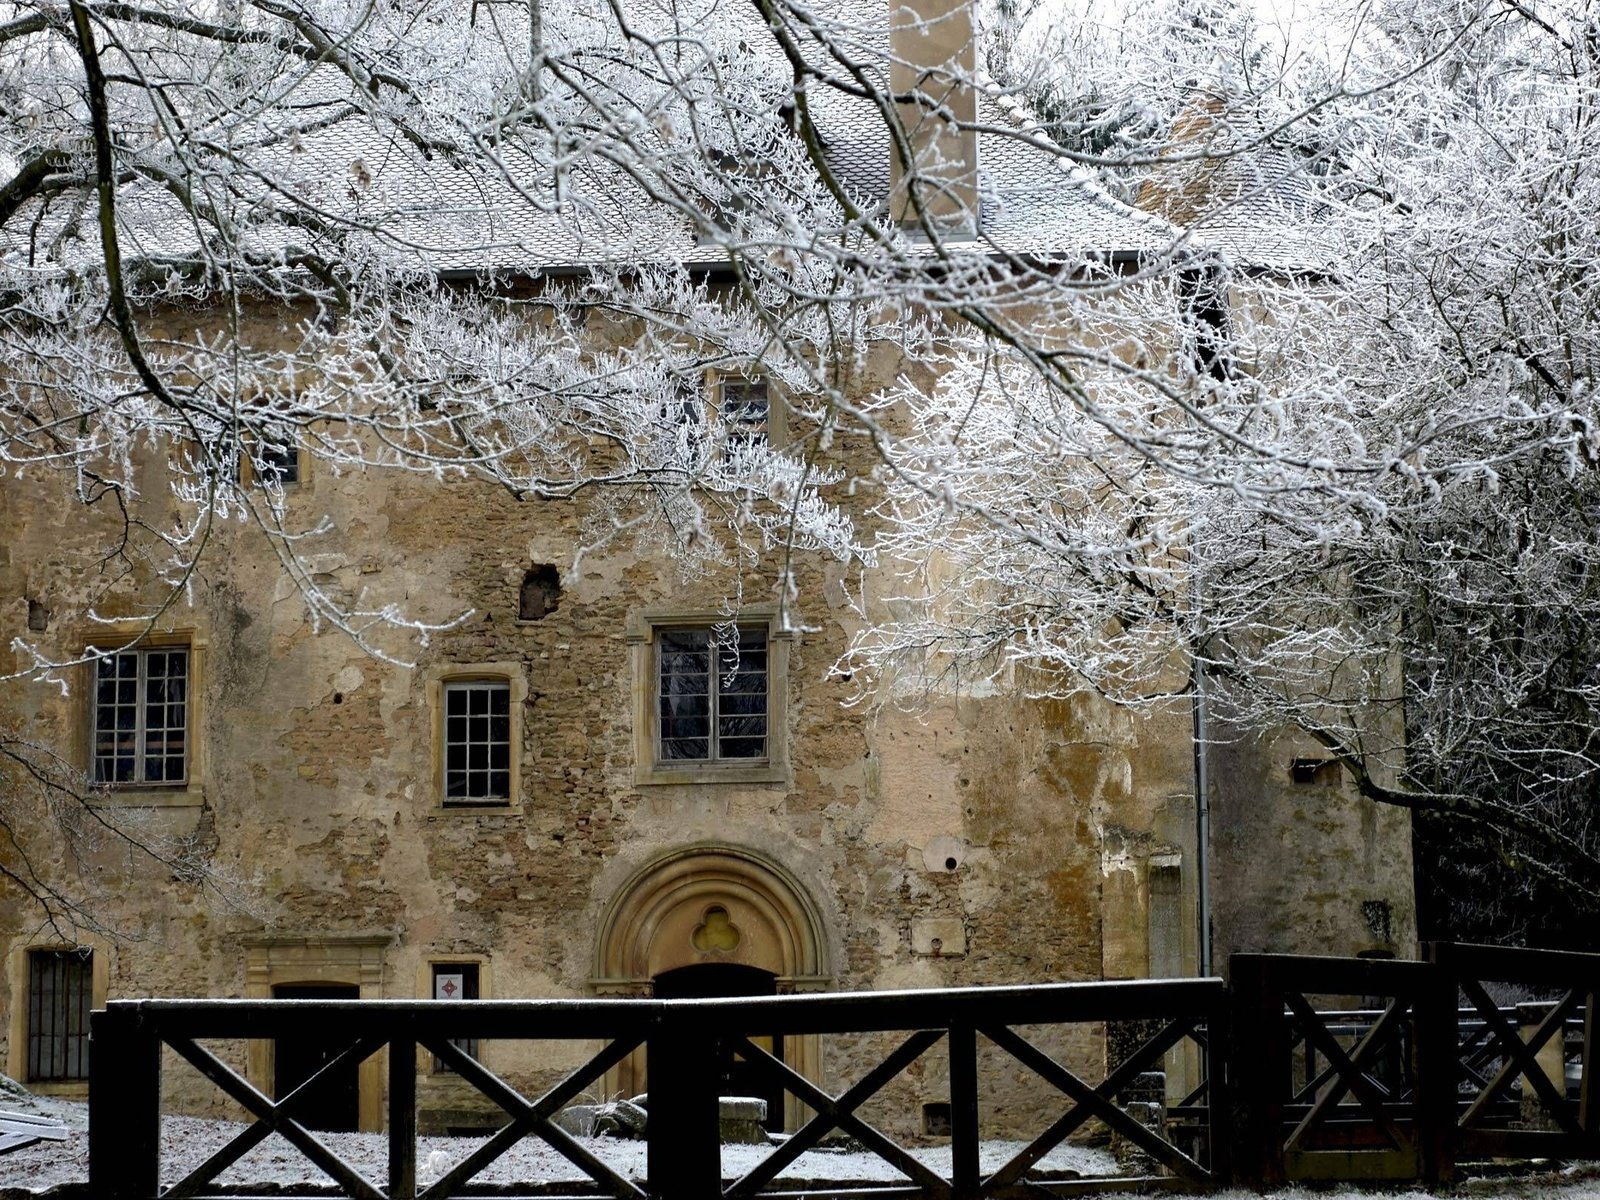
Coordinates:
(649, 770)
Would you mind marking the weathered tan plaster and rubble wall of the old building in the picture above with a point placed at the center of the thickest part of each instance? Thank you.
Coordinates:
(318, 786)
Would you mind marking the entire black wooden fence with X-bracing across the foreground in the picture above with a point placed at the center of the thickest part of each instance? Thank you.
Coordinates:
(1401, 1086)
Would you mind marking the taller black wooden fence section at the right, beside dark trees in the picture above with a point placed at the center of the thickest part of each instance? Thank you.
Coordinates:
(1423, 1084)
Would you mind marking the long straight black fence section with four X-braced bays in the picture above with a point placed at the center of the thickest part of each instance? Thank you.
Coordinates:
(679, 1038)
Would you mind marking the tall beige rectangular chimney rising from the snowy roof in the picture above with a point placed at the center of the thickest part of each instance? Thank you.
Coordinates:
(935, 57)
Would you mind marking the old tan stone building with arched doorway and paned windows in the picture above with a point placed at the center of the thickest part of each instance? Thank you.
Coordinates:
(586, 790)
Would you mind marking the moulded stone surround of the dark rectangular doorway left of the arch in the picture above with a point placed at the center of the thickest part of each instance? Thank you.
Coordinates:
(319, 959)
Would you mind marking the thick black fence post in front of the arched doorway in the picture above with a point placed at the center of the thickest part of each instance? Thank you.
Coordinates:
(684, 1132)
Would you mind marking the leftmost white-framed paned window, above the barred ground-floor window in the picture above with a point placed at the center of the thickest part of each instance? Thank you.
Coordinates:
(142, 718)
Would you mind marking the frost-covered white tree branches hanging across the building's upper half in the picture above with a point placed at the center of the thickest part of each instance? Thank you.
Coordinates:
(1318, 422)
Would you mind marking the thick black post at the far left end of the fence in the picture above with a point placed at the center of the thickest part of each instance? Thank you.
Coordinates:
(126, 1105)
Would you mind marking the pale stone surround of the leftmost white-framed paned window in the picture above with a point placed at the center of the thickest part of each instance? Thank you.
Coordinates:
(140, 636)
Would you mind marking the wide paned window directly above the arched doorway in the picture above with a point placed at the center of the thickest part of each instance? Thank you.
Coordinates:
(713, 695)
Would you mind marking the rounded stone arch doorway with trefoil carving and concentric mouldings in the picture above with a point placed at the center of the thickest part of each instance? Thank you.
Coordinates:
(706, 908)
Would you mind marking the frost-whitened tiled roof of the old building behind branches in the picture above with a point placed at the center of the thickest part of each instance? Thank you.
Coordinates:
(465, 218)
